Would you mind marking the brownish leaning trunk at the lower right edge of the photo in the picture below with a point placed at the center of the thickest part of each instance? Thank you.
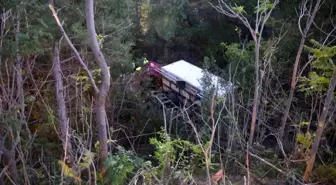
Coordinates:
(320, 128)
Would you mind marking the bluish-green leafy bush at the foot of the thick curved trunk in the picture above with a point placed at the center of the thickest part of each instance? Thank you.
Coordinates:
(119, 165)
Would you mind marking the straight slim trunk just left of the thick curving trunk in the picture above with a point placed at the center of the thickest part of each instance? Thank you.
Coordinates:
(62, 110)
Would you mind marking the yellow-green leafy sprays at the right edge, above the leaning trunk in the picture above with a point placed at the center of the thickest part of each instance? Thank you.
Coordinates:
(324, 66)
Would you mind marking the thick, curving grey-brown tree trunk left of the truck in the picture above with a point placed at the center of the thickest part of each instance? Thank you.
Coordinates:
(100, 110)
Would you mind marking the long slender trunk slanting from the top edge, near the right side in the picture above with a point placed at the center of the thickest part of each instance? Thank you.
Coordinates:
(295, 69)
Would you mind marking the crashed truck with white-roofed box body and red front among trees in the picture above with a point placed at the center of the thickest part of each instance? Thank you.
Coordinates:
(189, 83)
